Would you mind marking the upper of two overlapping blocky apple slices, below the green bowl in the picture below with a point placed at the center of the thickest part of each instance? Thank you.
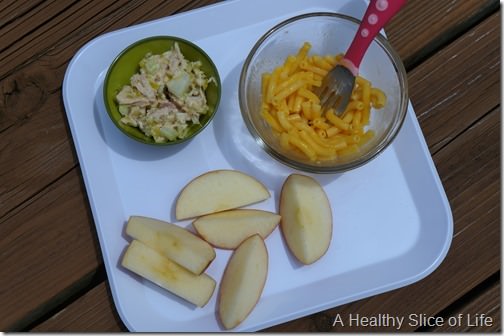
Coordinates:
(172, 241)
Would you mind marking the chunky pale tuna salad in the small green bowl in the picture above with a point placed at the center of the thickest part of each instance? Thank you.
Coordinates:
(165, 97)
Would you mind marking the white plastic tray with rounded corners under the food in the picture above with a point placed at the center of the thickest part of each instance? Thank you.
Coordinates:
(392, 221)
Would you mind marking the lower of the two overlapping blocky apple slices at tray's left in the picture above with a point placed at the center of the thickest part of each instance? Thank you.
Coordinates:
(153, 266)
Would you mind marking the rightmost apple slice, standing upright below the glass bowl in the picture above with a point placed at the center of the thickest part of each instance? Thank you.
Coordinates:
(306, 218)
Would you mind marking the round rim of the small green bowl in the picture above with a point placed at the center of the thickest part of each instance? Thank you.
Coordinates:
(167, 38)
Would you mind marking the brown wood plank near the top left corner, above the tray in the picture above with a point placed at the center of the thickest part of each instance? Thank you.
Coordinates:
(54, 23)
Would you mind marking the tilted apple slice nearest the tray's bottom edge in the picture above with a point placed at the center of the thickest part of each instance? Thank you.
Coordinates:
(243, 281)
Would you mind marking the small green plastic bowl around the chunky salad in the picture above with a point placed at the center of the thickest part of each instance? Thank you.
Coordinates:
(126, 64)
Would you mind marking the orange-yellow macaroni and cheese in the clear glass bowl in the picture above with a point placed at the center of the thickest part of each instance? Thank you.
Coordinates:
(292, 109)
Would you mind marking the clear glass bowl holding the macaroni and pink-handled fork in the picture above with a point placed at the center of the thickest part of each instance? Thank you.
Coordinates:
(328, 33)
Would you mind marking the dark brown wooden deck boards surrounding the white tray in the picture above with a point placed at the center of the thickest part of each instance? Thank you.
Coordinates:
(53, 277)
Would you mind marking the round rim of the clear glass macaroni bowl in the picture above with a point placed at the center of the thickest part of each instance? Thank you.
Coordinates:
(361, 160)
